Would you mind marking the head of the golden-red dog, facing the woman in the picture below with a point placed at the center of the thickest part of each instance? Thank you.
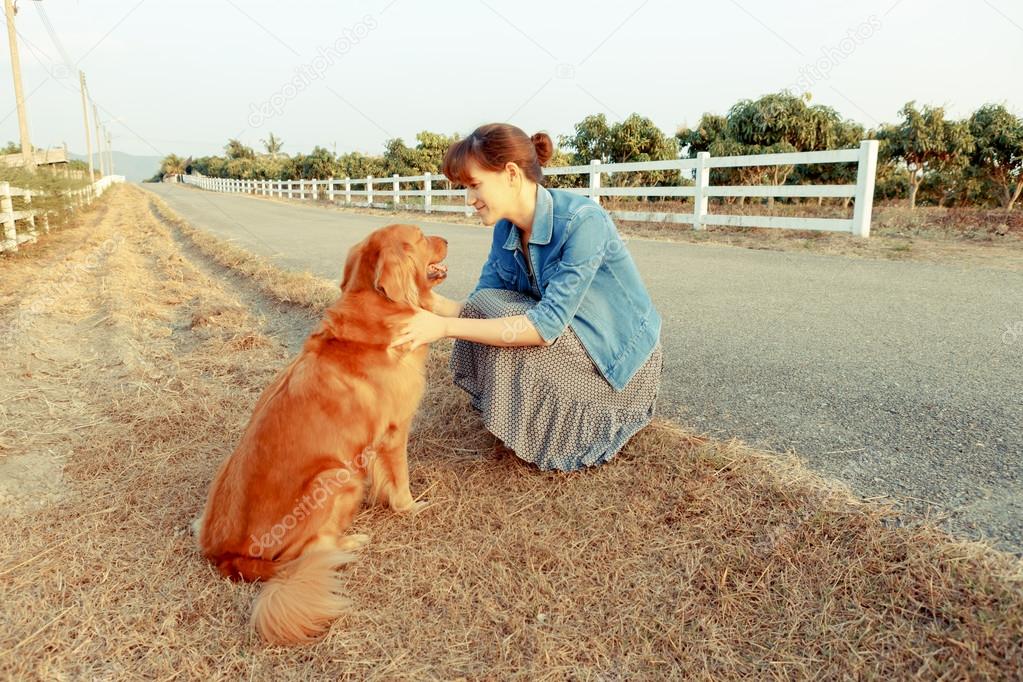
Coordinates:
(399, 262)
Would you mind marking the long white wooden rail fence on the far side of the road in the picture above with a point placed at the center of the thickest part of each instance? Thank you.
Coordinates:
(695, 172)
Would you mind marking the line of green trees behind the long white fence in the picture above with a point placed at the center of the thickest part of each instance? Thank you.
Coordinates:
(924, 158)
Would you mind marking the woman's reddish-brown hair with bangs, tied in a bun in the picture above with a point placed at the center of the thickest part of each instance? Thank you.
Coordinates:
(494, 146)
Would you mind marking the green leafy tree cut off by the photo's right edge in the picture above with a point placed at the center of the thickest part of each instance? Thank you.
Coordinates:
(998, 153)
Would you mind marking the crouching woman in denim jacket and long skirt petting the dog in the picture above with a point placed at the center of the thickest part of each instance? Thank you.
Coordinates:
(559, 344)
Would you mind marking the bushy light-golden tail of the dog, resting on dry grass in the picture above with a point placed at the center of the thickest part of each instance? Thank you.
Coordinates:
(302, 600)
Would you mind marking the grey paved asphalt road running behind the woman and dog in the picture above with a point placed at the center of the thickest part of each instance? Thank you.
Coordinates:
(899, 379)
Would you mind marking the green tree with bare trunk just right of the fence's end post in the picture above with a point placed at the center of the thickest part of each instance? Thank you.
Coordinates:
(925, 143)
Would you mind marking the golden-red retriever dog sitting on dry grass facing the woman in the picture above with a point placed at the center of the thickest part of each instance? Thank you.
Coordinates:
(333, 424)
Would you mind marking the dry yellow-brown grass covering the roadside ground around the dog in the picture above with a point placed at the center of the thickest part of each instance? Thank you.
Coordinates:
(681, 558)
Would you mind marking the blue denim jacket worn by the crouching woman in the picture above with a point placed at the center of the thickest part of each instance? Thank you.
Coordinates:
(586, 278)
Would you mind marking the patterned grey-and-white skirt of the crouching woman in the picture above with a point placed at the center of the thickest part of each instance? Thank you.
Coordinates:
(551, 404)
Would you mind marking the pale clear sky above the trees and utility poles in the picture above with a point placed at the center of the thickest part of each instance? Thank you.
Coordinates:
(185, 76)
